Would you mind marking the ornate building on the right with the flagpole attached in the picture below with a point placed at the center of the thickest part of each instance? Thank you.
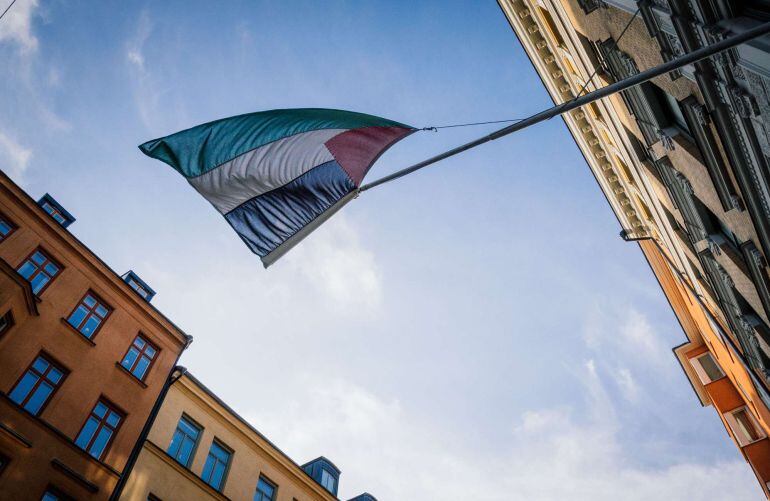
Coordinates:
(683, 161)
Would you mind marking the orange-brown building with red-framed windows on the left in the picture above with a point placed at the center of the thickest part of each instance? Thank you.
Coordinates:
(83, 357)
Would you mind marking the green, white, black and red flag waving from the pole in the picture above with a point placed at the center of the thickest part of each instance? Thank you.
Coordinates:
(277, 175)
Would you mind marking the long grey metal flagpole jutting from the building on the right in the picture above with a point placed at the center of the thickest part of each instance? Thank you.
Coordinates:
(639, 78)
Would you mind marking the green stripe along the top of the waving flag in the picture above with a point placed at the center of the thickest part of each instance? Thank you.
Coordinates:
(200, 149)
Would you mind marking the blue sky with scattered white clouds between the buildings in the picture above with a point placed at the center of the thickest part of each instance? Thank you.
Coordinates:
(476, 330)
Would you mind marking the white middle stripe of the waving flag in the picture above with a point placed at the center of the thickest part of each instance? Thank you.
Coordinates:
(264, 169)
